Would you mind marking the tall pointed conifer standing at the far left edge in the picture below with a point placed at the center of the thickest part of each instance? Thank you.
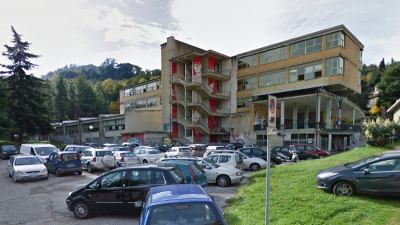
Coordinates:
(26, 97)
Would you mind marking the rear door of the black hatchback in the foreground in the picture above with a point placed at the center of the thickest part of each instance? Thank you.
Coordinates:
(138, 184)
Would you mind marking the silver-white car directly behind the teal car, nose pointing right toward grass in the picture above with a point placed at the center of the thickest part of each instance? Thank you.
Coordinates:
(221, 175)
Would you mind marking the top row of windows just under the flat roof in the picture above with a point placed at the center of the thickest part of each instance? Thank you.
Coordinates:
(297, 49)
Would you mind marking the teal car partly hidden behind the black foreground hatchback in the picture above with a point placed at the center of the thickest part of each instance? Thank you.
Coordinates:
(192, 172)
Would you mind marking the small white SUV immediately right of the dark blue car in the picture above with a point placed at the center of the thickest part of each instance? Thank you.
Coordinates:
(97, 159)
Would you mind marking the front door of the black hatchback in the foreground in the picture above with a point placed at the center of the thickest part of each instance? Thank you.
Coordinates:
(109, 190)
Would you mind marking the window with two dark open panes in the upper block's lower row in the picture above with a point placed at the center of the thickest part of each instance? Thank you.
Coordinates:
(305, 72)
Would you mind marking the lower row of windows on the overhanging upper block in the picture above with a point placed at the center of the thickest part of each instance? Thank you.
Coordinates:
(333, 66)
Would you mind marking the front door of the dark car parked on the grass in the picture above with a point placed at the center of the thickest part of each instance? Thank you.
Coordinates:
(381, 177)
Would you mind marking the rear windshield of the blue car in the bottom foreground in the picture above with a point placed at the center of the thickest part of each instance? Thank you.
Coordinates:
(184, 213)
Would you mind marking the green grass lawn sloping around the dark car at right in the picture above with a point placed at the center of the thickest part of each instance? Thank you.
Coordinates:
(295, 200)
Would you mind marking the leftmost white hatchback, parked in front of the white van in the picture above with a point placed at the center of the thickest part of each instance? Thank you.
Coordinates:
(26, 167)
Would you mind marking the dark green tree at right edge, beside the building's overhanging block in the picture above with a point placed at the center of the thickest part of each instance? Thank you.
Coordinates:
(389, 87)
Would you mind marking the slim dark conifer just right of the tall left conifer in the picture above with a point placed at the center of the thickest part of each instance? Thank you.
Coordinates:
(61, 100)
